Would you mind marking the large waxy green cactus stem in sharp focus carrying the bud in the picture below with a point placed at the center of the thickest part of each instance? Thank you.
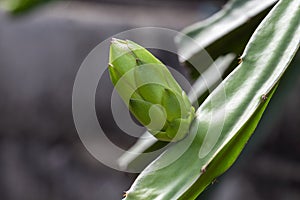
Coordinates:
(248, 90)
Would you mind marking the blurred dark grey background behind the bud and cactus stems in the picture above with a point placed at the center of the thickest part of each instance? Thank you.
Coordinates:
(41, 155)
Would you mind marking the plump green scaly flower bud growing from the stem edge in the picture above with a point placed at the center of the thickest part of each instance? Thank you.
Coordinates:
(149, 90)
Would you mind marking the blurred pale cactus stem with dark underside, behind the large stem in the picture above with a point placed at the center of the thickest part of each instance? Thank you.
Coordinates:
(227, 31)
